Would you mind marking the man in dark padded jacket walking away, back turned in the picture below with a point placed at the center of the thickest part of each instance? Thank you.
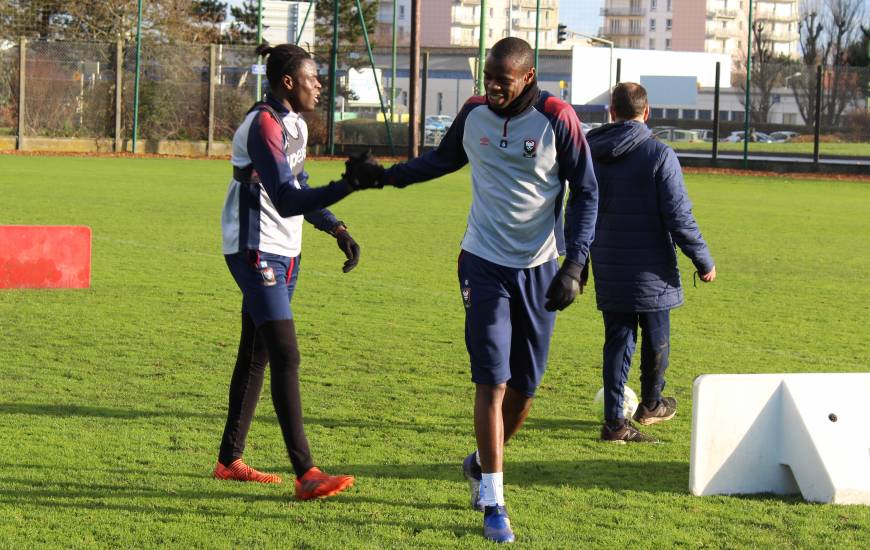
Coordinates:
(643, 212)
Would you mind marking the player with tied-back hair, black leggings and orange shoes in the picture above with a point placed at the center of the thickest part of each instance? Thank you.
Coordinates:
(262, 236)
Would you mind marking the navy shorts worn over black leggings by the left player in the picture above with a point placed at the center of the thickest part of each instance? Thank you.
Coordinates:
(267, 282)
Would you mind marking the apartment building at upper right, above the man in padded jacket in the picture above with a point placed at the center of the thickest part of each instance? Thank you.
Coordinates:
(714, 26)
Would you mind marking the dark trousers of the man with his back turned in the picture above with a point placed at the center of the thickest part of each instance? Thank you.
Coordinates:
(620, 339)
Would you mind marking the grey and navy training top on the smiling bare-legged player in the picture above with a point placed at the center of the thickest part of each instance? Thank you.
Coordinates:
(520, 168)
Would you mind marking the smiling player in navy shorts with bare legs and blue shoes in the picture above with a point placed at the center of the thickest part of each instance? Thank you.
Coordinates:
(524, 147)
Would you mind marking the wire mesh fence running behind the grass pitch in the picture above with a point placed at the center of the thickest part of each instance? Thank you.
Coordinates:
(71, 91)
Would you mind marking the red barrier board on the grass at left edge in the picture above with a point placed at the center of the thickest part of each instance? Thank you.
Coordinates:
(40, 256)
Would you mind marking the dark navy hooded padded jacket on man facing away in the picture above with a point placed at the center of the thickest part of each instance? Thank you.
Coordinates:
(643, 211)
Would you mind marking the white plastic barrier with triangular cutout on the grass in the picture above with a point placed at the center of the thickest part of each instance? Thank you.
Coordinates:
(784, 434)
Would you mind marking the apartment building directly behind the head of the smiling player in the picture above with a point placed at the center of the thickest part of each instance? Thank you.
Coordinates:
(448, 23)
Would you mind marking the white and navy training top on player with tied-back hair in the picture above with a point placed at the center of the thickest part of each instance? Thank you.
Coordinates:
(268, 216)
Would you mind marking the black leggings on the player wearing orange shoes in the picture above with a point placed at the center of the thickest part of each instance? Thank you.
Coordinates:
(273, 342)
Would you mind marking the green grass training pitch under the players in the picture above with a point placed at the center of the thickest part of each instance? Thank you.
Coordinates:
(113, 398)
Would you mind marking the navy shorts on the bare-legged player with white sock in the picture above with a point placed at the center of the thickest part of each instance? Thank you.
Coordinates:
(507, 329)
